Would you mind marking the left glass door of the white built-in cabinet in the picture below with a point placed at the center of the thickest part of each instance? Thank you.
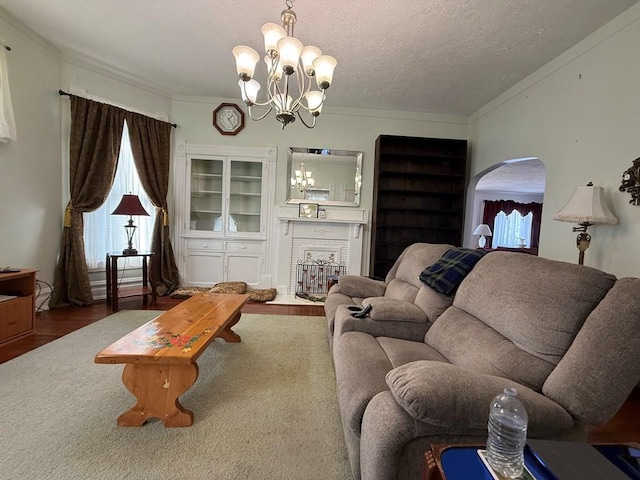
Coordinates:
(206, 195)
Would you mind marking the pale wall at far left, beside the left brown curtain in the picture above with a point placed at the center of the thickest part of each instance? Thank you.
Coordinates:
(30, 169)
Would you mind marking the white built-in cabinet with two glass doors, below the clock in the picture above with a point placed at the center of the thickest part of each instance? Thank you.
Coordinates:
(223, 212)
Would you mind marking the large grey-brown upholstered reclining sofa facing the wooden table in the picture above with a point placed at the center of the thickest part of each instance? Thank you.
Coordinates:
(422, 367)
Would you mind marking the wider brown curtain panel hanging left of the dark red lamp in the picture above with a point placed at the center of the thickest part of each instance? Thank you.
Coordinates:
(94, 145)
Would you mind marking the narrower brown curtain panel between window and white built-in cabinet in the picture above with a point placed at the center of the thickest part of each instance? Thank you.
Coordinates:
(151, 146)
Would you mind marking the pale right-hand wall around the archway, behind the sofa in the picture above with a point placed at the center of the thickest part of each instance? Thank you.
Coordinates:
(578, 114)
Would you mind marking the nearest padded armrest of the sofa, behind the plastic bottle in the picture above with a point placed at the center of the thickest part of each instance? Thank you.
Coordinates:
(444, 395)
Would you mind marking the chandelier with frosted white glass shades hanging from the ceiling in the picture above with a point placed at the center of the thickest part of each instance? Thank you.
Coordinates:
(291, 68)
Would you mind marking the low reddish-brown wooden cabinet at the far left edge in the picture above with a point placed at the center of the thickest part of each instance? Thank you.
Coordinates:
(17, 314)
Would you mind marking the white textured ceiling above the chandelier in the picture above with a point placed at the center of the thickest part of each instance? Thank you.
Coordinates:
(437, 56)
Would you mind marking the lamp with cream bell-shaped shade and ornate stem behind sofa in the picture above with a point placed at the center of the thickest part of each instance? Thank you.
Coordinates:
(586, 207)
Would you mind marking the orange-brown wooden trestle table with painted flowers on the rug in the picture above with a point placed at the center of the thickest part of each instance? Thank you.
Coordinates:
(160, 356)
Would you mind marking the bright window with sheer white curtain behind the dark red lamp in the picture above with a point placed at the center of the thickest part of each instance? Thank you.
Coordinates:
(104, 232)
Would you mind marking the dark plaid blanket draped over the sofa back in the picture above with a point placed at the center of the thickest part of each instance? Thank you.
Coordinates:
(445, 275)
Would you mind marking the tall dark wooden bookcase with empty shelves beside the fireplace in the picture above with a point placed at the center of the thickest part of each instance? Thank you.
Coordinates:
(419, 192)
